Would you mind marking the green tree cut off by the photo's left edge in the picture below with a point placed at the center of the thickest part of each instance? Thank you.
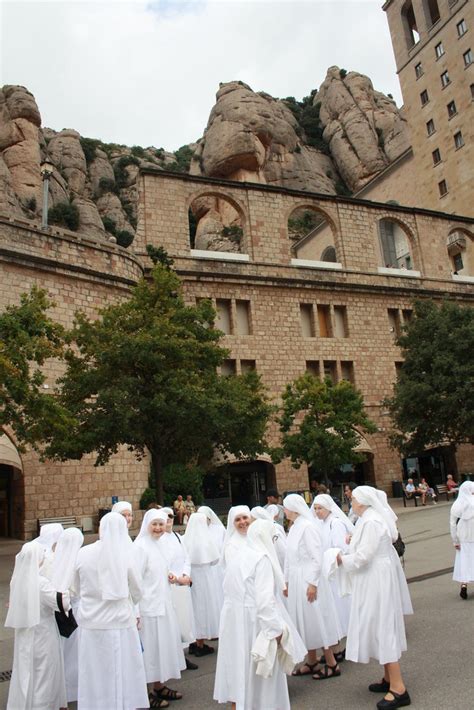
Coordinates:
(28, 338)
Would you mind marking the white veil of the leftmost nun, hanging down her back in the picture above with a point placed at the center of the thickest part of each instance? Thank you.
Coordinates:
(24, 608)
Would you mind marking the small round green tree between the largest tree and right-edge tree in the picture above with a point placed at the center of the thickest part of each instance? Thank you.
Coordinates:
(320, 422)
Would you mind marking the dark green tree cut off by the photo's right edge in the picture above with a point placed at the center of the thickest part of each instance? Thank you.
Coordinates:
(433, 399)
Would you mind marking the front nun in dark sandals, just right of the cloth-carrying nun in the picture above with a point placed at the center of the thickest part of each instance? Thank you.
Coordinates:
(310, 602)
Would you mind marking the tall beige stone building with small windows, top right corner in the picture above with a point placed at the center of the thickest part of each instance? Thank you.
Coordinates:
(433, 43)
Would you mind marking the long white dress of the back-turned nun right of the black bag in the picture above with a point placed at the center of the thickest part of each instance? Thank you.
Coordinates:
(111, 670)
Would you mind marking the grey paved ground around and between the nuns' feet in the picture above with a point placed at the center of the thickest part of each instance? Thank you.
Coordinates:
(438, 666)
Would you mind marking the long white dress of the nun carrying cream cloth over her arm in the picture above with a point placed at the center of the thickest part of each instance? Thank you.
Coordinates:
(250, 606)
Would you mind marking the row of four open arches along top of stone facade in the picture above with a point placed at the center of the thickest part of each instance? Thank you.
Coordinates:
(218, 223)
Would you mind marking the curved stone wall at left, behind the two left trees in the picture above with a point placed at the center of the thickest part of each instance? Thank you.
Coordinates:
(79, 274)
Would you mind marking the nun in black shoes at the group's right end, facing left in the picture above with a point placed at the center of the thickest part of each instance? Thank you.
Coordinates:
(376, 625)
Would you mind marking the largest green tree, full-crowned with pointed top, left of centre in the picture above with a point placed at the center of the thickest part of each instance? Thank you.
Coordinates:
(144, 374)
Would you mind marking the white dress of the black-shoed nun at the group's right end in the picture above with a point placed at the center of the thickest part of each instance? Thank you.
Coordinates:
(376, 625)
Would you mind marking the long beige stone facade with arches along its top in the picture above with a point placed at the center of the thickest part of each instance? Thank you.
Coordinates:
(336, 318)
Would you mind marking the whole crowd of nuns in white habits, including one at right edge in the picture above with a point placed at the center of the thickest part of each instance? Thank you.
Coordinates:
(274, 600)
